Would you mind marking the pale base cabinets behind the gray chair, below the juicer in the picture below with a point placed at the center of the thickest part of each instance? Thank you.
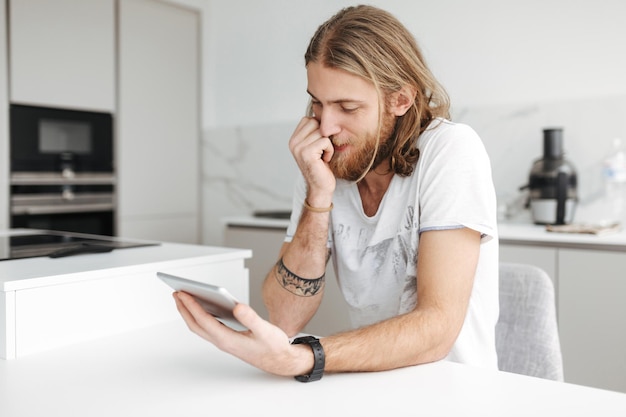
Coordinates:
(590, 289)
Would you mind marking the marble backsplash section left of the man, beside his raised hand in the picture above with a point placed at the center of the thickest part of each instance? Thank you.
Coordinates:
(244, 169)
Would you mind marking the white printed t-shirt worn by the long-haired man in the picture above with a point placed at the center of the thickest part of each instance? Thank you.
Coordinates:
(375, 258)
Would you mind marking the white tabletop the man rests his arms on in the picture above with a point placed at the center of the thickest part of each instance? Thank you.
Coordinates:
(166, 370)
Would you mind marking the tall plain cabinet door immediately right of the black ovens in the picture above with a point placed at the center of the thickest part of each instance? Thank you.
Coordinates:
(158, 123)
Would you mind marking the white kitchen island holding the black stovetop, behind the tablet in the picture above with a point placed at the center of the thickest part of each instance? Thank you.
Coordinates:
(48, 303)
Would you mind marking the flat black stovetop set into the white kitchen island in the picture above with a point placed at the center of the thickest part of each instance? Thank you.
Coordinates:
(53, 244)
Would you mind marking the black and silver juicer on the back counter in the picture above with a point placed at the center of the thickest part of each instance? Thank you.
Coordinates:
(552, 183)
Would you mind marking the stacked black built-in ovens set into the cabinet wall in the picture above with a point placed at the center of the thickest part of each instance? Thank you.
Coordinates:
(62, 175)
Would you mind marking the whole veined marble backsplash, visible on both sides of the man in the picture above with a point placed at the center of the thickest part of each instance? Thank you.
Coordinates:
(250, 168)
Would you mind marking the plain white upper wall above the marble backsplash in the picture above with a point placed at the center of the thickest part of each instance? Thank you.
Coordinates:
(483, 51)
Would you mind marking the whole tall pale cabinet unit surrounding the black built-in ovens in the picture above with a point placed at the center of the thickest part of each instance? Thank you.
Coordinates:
(138, 59)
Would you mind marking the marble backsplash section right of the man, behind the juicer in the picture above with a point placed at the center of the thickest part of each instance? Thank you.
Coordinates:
(513, 137)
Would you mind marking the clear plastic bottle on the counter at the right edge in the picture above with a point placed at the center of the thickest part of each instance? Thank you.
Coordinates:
(614, 175)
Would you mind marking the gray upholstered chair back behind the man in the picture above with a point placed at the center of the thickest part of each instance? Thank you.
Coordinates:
(527, 338)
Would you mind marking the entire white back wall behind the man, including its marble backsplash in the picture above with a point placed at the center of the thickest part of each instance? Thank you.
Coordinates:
(512, 68)
